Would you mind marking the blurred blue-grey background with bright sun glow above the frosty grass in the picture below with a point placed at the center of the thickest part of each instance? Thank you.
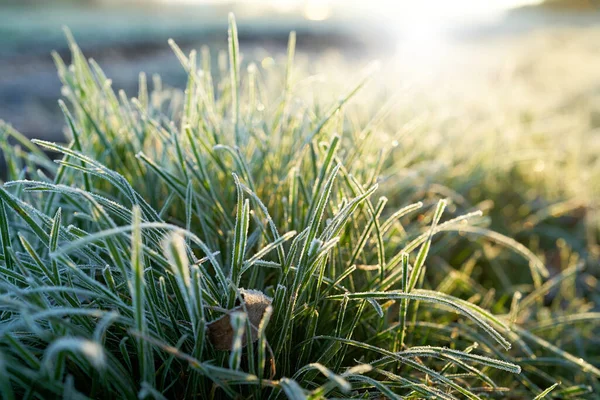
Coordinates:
(458, 45)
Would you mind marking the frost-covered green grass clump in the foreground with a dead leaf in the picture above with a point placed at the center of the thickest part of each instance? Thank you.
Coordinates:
(233, 241)
